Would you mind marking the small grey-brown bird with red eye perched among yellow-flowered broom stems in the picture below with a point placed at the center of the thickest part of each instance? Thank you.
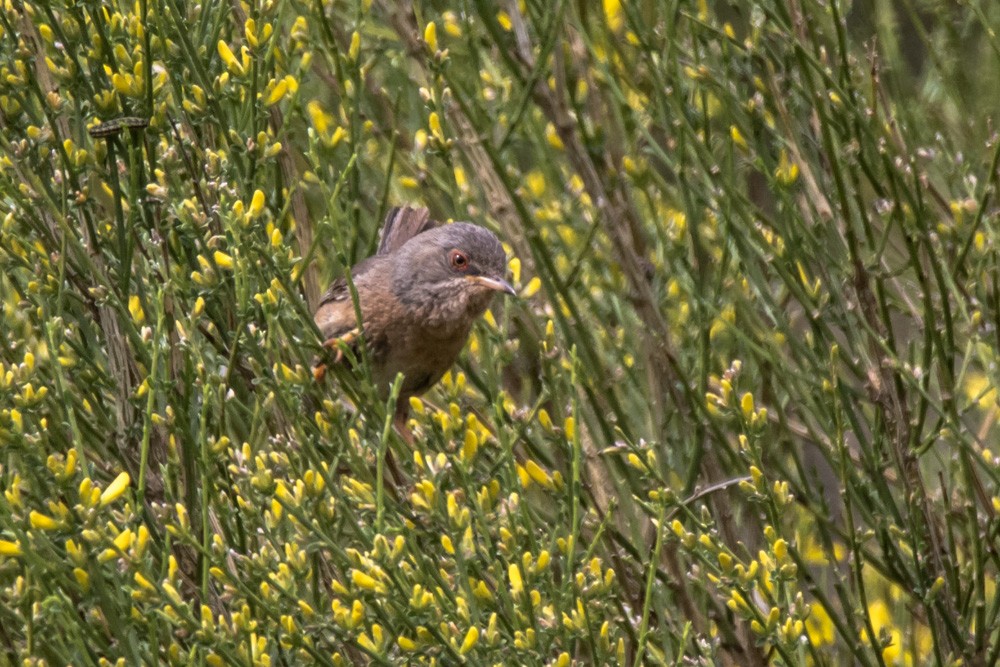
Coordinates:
(418, 296)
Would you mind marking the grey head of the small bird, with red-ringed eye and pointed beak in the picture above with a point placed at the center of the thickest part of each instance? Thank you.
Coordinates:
(451, 272)
